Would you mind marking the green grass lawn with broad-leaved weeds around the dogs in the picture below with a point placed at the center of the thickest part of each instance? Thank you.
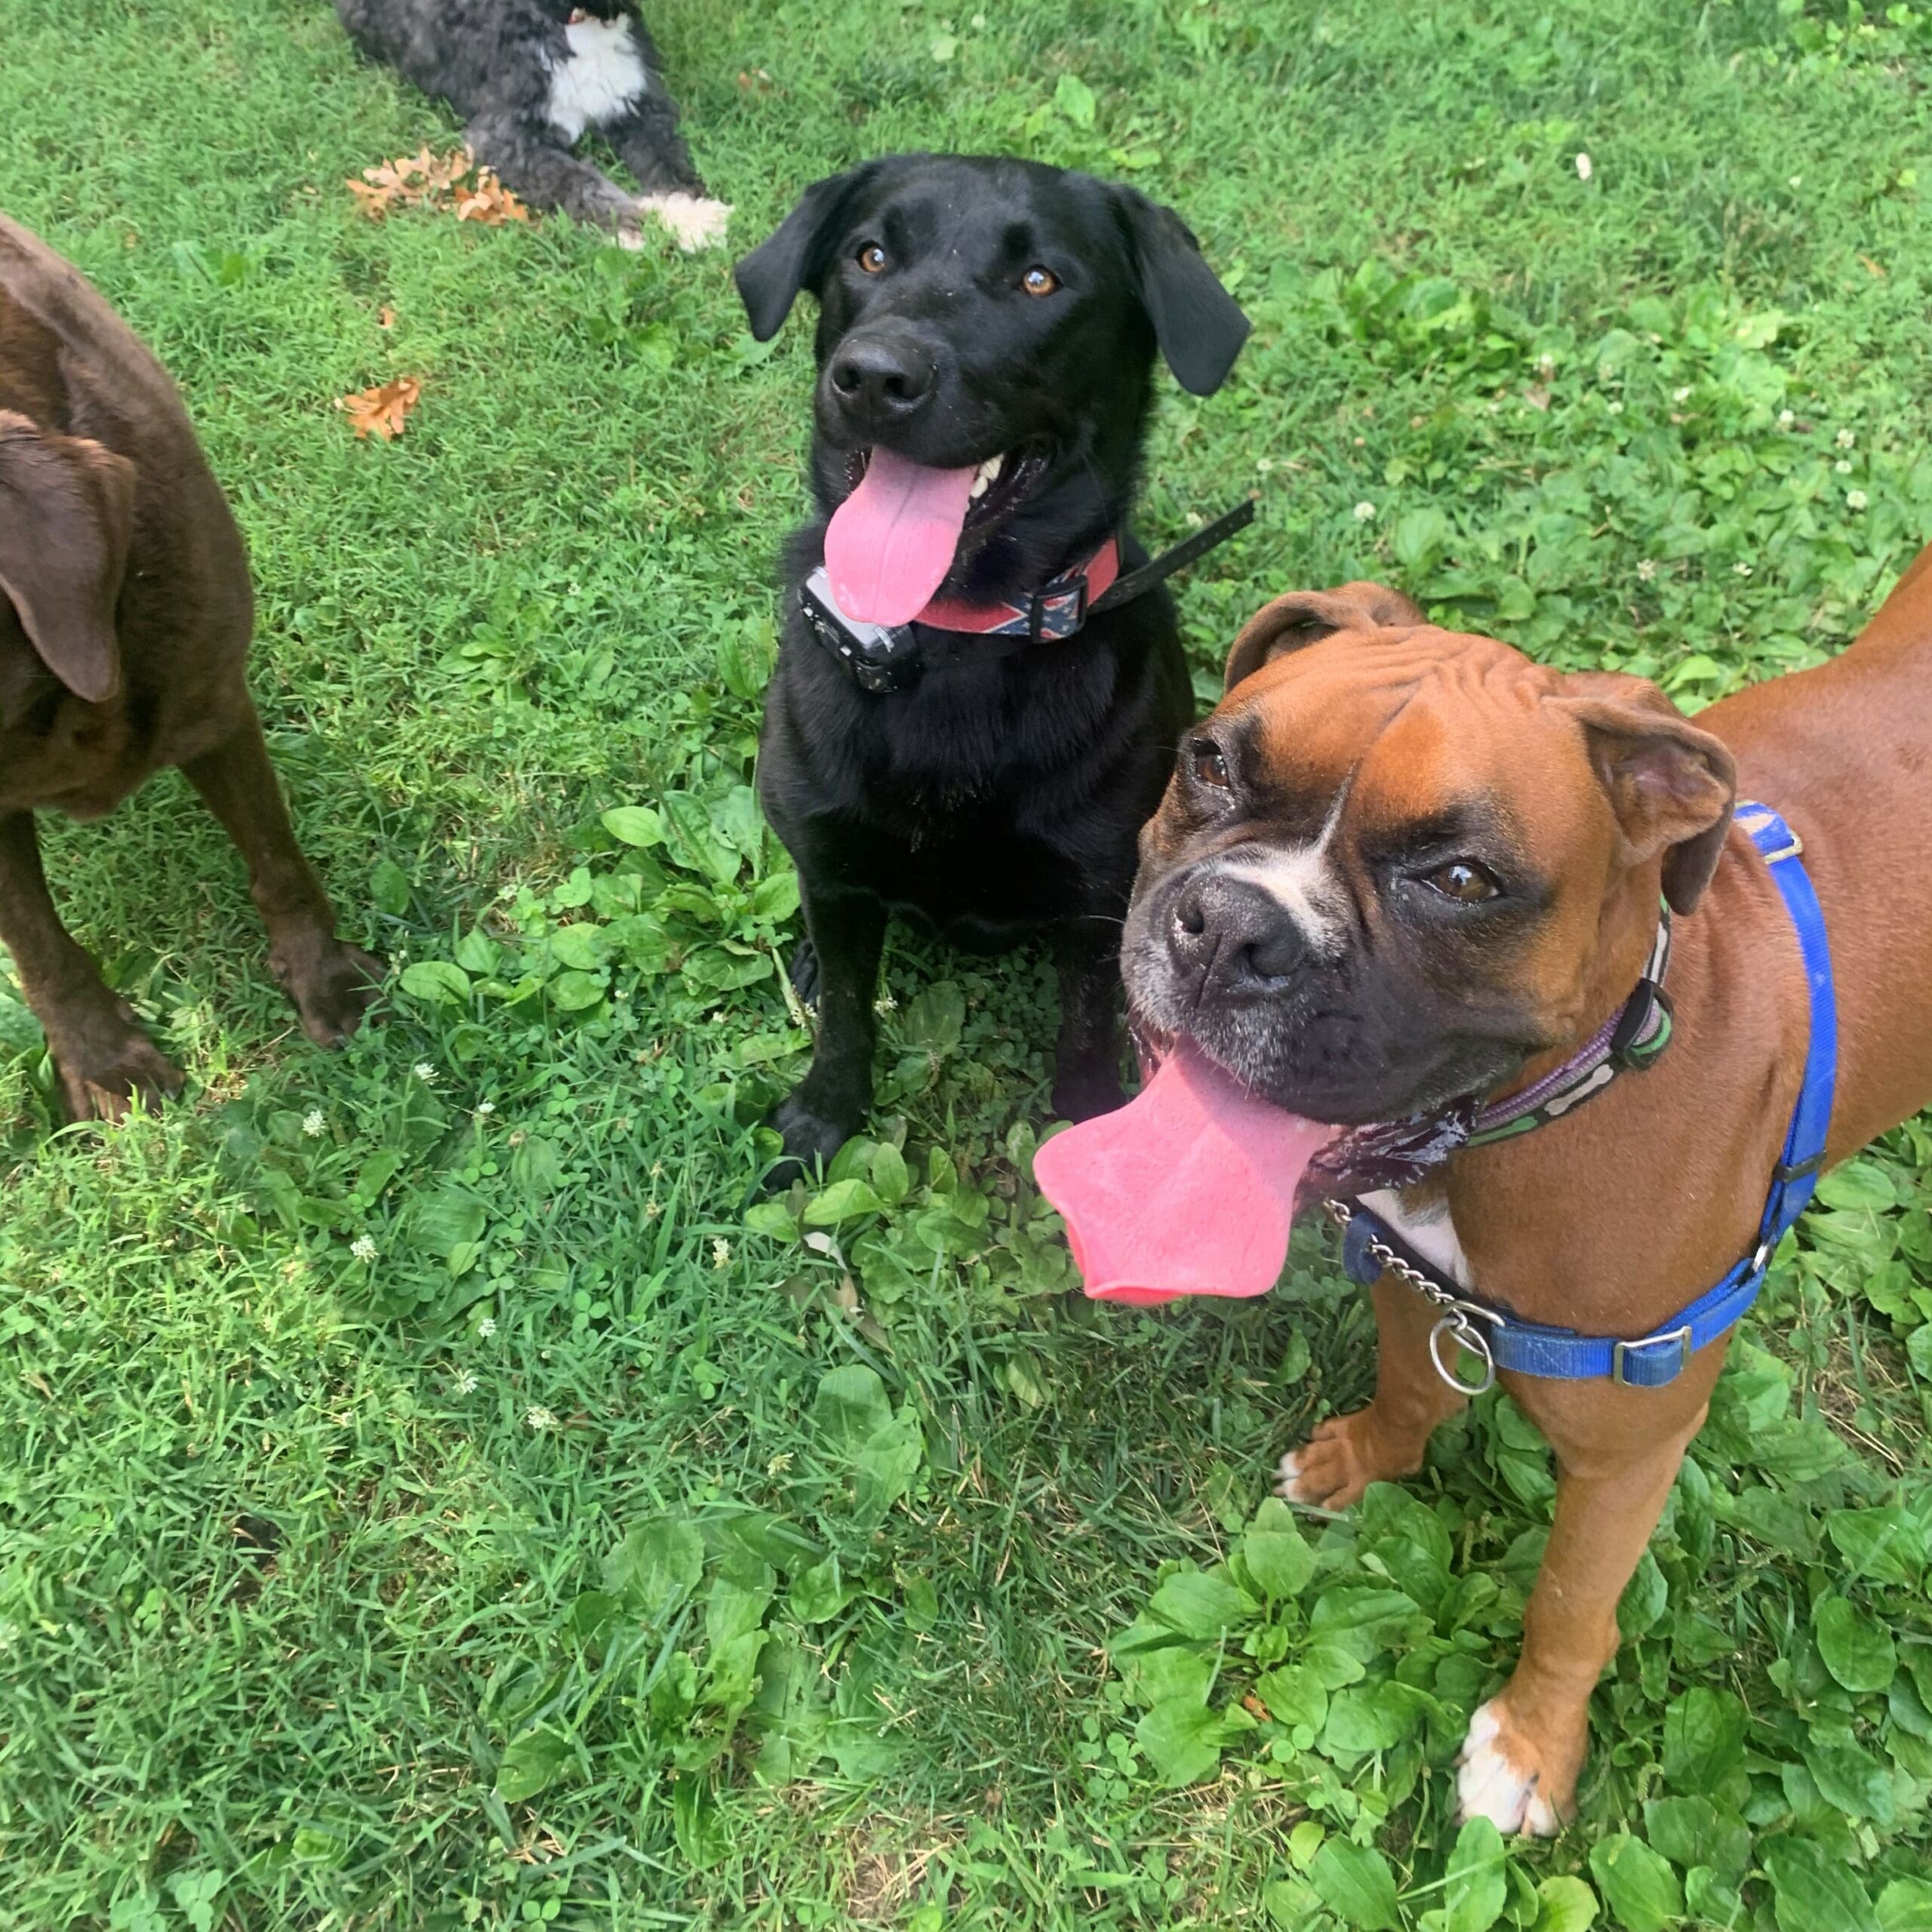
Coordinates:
(594, 1558)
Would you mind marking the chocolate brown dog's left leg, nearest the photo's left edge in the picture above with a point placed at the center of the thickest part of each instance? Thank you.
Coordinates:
(99, 1048)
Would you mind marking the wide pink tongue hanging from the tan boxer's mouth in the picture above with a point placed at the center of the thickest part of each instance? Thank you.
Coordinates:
(1185, 1191)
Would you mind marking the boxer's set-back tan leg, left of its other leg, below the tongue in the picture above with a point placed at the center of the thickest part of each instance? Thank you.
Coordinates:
(1386, 1440)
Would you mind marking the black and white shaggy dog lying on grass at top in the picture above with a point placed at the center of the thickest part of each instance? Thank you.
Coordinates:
(532, 78)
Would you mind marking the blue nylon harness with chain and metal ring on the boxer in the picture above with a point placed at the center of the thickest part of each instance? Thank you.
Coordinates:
(1506, 1342)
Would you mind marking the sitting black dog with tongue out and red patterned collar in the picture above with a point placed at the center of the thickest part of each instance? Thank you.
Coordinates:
(986, 356)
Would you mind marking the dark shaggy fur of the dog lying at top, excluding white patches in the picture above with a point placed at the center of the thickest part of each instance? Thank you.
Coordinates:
(497, 65)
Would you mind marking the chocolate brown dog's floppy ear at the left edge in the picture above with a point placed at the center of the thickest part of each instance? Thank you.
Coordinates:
(67, 515)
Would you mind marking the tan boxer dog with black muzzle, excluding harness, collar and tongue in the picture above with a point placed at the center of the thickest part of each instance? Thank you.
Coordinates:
(1400, 867)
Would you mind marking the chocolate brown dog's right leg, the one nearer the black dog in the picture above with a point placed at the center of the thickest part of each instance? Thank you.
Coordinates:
(329, 982)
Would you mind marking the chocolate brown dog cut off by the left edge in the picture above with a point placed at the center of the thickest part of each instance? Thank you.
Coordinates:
(125, 625)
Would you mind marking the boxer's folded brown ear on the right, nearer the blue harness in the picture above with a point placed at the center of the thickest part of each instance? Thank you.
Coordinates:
(1670, 783)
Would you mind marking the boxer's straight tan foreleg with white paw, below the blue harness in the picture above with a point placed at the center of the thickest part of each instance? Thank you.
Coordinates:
(1527, 1746)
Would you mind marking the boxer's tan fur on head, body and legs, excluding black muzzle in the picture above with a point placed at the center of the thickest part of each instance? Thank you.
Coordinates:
(1620, 1214)
